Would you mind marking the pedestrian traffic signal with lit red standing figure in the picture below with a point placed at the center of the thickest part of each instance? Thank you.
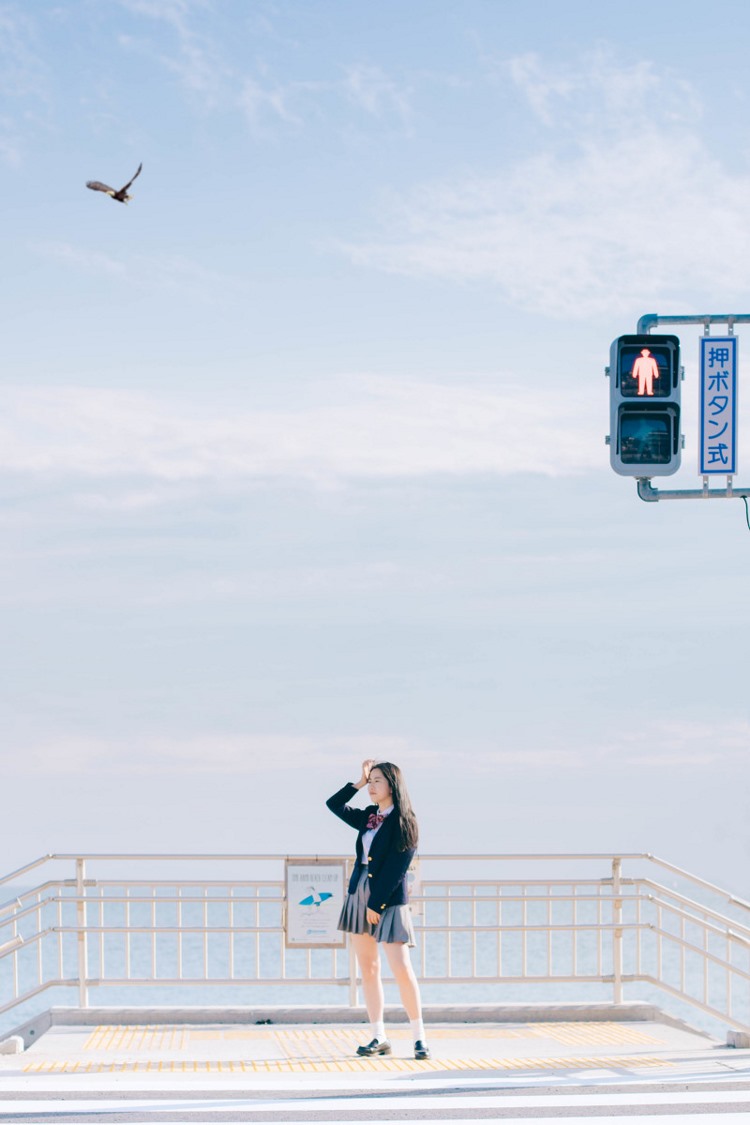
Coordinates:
(645, 400)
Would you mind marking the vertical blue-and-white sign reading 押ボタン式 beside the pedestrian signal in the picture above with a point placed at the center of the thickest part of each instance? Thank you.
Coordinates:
(718, 436)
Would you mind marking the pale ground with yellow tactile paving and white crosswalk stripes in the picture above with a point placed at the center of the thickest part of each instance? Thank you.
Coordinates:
(203, 1070)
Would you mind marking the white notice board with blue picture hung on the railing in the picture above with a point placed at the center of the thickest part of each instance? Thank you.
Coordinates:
(315, 895)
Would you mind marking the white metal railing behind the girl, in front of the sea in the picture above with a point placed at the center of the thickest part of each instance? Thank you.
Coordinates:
(602, 922)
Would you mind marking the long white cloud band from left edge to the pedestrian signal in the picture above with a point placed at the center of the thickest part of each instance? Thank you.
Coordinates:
(376, 429)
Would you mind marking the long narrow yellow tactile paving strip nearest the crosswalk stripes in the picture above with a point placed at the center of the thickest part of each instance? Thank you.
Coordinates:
(342, 1066)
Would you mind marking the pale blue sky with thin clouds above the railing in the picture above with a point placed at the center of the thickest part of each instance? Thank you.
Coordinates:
(303, 452)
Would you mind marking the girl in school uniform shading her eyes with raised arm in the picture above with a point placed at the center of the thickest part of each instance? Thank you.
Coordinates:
(376, 908)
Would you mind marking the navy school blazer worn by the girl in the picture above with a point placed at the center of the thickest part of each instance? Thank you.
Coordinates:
(387, 867)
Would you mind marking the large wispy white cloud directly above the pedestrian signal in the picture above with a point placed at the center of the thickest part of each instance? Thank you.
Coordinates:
(621, 208)
